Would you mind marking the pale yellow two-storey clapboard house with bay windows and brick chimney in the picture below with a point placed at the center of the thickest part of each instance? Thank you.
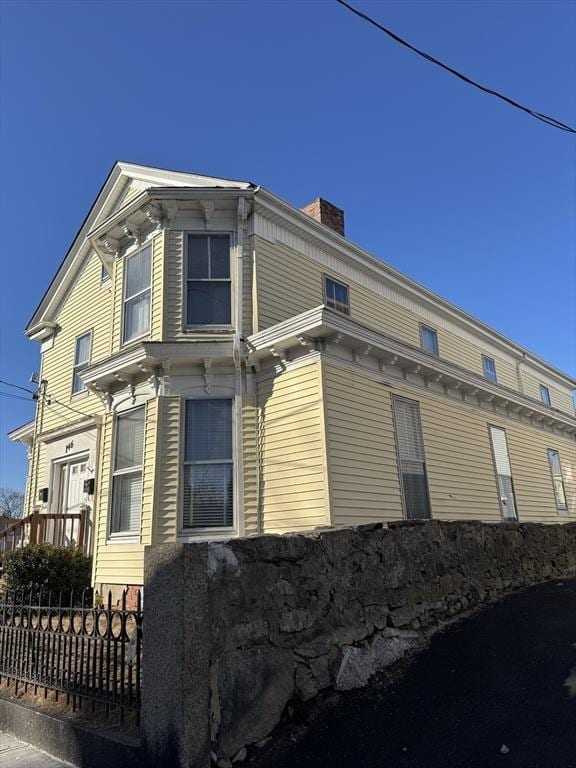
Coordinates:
(218, 363)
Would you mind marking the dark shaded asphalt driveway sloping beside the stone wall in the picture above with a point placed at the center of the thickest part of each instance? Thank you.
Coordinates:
(492, 680)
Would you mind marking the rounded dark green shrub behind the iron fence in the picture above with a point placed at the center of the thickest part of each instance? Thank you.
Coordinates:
(44, 568)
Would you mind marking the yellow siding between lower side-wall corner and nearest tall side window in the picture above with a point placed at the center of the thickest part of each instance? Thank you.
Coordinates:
(363, 471)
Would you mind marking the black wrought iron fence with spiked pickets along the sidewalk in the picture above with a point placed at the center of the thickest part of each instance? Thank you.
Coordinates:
(86, 655)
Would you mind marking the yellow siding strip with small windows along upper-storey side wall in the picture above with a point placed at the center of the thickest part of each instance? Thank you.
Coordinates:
(289, 283)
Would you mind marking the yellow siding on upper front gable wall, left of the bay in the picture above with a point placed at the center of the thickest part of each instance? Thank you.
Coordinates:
(86, 308)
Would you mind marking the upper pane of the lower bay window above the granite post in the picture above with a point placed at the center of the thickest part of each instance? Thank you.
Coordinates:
(208, 430)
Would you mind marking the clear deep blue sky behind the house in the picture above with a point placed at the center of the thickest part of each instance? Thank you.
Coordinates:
(461, 192)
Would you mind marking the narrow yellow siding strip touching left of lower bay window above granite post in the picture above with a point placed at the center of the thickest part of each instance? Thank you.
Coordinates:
(168, 468)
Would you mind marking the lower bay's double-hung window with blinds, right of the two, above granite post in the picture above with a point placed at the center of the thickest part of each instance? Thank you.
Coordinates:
(208, 464)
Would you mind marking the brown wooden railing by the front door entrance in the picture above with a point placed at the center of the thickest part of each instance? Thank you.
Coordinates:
(61, 529)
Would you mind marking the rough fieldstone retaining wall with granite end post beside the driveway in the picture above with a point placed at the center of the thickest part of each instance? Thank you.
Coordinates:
(270, 619)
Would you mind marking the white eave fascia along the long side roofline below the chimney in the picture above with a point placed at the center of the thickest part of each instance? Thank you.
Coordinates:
(284, 213)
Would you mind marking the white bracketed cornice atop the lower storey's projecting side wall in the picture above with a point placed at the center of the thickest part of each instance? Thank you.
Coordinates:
(323, 323)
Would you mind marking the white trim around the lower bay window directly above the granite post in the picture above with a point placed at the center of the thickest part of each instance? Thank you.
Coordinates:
(220, 532)
